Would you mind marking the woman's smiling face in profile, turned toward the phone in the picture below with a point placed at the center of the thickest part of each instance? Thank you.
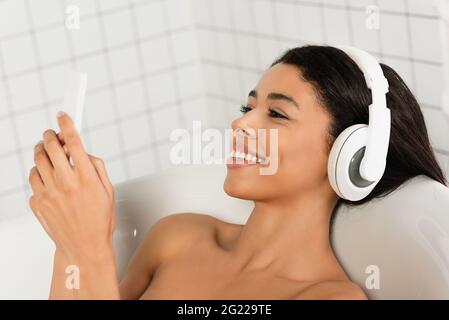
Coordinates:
(302, 147)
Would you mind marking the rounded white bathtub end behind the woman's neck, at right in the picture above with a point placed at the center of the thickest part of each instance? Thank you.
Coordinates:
(403, 236)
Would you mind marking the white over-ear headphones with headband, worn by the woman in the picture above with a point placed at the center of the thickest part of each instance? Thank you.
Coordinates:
(358, 156)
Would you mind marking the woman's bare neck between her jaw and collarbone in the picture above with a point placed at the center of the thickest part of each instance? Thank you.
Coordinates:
(289, 237)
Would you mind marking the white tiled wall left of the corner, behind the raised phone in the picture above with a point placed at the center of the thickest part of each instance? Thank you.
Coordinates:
(143, 81)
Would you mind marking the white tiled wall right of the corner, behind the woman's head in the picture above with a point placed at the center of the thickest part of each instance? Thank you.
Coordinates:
(239, 39)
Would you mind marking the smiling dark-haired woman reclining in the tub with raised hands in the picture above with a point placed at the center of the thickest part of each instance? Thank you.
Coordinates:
(308, 96)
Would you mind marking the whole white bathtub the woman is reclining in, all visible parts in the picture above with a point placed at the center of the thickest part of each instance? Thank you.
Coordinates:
(405, 235)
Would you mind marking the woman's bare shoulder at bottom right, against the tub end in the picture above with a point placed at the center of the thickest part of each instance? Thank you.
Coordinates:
(333, 290)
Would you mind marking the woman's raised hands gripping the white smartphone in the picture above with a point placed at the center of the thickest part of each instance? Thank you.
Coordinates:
(75, 204)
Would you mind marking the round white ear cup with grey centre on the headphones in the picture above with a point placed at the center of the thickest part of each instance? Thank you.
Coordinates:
(343, 167)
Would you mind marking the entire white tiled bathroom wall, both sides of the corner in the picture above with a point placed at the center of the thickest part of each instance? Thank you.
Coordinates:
(156, 65)
